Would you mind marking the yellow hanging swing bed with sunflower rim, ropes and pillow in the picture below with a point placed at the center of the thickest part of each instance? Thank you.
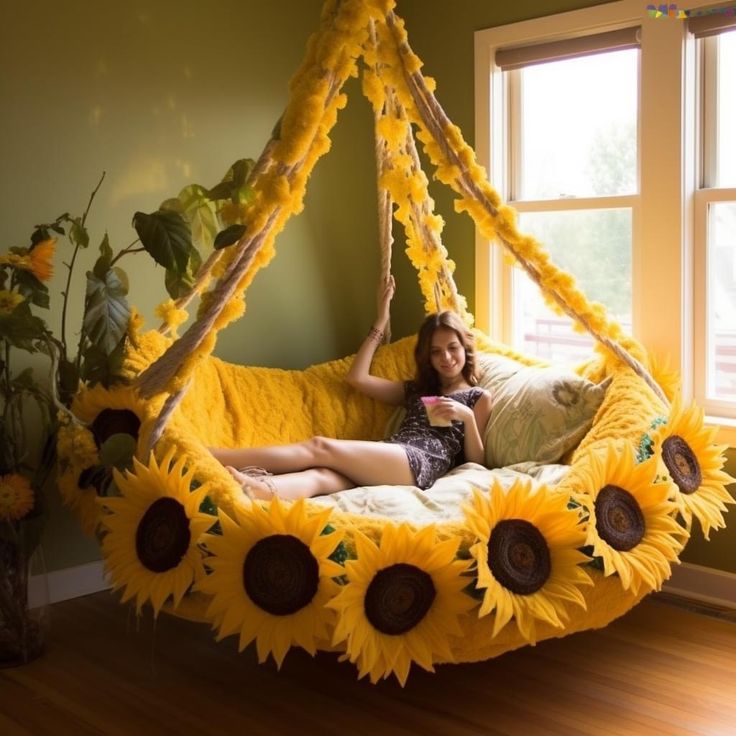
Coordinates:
(561, 536)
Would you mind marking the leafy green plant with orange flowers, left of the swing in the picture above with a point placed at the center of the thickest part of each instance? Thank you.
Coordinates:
(176, 236)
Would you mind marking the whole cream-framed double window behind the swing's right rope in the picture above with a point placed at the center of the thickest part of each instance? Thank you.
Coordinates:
(606, 156)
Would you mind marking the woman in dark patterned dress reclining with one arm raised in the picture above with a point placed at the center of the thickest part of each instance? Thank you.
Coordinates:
(417, 454)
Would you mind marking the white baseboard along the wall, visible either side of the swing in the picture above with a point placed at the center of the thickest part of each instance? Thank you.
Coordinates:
(690, 581)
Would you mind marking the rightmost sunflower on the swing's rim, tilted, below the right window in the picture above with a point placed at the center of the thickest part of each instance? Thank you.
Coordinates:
(690, 458)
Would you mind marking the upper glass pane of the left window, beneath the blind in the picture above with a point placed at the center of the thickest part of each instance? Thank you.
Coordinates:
(578, 127)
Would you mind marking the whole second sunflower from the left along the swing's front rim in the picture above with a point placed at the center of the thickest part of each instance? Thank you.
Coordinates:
(271, 576)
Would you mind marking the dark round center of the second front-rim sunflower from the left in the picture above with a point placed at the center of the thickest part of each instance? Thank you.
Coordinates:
(280, 574)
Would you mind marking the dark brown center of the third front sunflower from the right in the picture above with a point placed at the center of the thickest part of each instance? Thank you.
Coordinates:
(518, 556)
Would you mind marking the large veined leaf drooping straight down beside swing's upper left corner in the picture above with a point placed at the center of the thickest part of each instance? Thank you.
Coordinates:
(107, 312)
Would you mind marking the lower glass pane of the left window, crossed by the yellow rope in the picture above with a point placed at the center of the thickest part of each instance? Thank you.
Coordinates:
(595, 246)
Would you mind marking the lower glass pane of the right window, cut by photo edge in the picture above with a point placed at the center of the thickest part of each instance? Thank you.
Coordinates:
(721, 338)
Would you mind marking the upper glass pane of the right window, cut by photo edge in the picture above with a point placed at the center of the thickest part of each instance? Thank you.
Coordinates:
(726, 151)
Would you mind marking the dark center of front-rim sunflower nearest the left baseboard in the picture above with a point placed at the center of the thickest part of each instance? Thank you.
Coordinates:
(163, 535)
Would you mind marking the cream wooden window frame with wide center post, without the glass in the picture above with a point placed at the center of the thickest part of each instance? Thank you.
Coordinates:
(663, 222)
